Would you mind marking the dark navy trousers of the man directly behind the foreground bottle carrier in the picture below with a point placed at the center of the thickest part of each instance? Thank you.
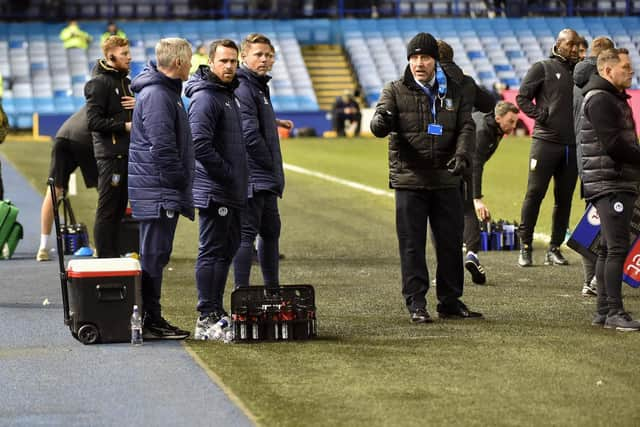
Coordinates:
(260, 217)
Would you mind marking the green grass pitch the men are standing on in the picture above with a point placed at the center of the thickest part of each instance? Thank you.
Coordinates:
(535, 360)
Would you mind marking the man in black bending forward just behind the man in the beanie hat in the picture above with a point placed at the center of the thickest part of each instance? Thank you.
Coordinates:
(490, 128)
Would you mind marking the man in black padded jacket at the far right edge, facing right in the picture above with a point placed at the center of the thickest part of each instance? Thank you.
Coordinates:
(611, 178)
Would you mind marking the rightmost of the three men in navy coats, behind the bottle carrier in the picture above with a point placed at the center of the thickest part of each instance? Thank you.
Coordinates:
(266, 174)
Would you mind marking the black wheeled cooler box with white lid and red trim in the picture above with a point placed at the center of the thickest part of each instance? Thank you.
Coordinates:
(102, 293)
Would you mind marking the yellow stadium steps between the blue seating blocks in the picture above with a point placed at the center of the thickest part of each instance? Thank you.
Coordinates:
(329, 71)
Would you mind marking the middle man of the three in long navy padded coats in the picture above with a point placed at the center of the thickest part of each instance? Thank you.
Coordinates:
(221, 177)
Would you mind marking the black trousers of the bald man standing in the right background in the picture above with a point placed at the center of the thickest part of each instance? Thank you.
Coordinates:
(549, 160)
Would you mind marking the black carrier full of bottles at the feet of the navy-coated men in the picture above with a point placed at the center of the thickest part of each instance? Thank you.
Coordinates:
(283, 314)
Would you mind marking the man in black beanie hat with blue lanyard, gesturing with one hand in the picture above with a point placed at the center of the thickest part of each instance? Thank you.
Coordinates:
(430, 139)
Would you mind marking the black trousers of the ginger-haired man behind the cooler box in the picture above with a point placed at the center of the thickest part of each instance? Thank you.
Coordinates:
(112, 203)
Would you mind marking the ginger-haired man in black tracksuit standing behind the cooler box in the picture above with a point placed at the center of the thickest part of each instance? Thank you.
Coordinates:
(109, 108)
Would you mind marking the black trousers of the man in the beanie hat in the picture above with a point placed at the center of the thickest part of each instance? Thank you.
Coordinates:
(444, 211)
